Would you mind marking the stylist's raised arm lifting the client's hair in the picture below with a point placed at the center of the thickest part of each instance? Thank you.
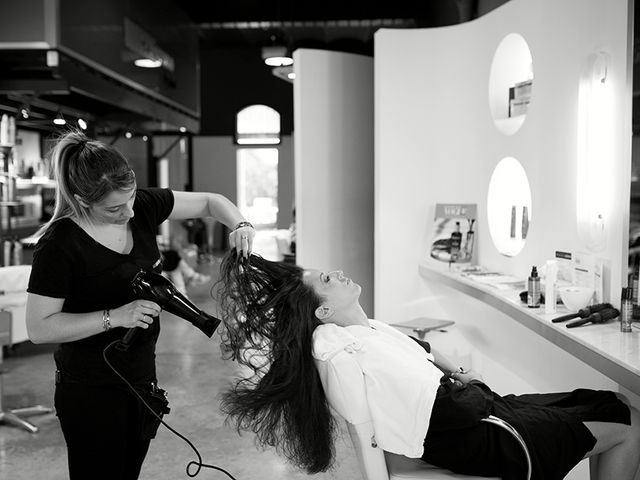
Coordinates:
(203, 204)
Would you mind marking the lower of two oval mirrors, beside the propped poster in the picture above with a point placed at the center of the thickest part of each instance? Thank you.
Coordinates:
(509, 206)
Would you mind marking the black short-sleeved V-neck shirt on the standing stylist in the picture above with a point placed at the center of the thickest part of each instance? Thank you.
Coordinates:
(68, 263)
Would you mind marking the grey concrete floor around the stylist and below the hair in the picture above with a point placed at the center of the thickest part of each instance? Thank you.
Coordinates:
(191, 369)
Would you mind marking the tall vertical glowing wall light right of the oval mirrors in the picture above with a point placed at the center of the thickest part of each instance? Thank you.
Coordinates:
(594, 151)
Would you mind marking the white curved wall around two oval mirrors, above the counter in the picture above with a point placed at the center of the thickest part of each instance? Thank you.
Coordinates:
(436, 141)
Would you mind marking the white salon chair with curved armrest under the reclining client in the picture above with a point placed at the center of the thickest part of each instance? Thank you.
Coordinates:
(343, 384)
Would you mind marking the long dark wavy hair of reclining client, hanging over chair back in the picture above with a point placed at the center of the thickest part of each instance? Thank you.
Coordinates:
(269, 314)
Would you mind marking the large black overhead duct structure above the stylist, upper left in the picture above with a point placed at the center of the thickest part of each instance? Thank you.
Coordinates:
(84, 56)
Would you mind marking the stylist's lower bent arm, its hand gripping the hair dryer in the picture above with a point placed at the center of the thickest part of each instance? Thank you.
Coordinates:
(47, 323)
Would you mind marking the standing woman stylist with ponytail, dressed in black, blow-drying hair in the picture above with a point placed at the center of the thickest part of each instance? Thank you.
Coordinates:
(103, 231)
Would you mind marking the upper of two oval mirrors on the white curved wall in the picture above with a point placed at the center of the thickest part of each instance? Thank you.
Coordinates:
(510, 83)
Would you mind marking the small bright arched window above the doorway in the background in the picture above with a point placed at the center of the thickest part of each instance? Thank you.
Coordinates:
(258, 125)
